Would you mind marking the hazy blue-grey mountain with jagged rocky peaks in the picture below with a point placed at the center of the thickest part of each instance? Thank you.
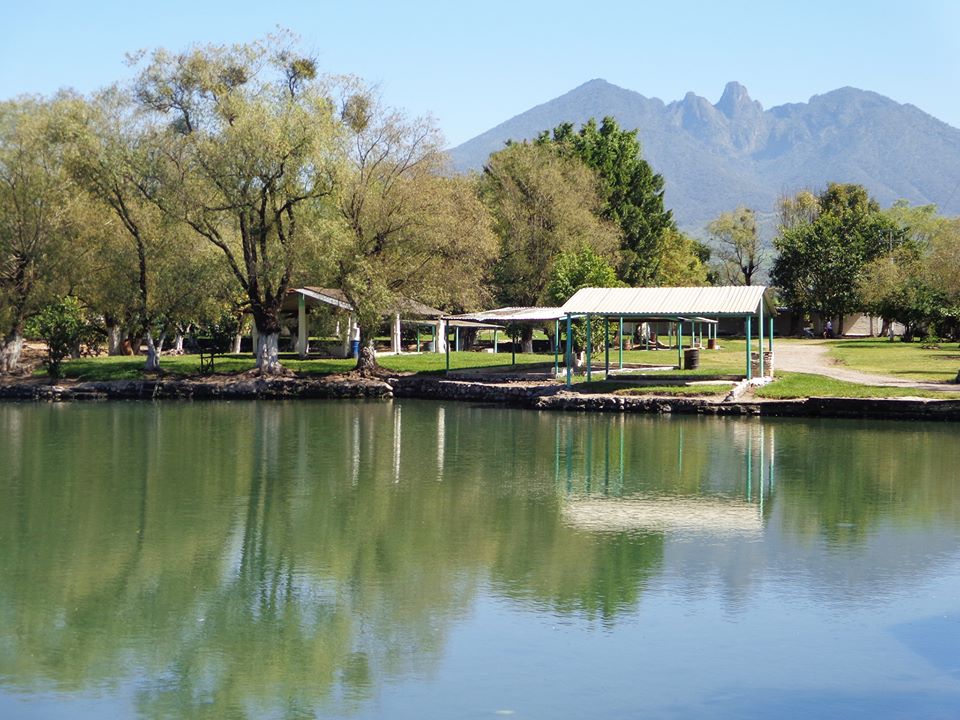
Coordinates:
(714, 157)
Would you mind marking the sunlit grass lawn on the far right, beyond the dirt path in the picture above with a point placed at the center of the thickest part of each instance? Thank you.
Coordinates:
(906, 360)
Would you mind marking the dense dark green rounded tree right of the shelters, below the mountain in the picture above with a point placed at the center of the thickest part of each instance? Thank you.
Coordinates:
(824, 247)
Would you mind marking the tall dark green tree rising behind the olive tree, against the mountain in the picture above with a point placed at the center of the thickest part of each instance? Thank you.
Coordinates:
(631, 194)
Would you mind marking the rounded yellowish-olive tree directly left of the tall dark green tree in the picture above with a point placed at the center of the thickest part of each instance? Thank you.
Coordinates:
(543, 204)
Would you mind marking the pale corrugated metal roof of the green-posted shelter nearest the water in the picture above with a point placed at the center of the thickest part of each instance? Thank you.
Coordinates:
(733, 300)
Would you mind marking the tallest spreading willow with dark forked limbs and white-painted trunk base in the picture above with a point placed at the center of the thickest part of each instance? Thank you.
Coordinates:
(249, 154)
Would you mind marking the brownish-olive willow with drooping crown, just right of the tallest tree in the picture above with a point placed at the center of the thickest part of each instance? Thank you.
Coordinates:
(408, 232)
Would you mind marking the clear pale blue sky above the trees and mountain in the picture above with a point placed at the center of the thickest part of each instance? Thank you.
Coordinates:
(474, 65)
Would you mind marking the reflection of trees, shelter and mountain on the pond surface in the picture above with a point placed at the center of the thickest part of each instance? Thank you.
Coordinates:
(286, 559)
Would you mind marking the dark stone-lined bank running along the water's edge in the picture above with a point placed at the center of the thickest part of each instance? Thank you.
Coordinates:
(535, 396)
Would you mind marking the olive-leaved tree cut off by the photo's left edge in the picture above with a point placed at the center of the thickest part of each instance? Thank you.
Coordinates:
(36, 223)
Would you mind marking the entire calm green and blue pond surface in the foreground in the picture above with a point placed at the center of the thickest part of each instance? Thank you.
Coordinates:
(429, 560)
